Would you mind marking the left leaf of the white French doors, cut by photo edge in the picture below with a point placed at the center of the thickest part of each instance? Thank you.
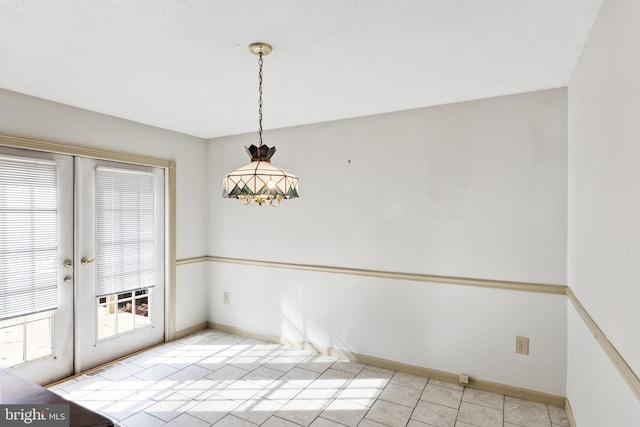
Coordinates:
(36, 277)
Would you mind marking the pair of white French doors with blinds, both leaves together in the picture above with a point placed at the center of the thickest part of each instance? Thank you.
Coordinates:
(81, 262)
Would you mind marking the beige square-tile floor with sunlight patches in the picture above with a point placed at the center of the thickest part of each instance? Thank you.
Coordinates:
(212, 378)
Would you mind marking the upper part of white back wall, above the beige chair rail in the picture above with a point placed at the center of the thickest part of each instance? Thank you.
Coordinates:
(475, 189)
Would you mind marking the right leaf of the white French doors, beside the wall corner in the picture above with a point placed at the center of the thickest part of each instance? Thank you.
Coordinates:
(120, 245)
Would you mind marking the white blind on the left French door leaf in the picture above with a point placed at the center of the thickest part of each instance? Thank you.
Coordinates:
(28, 236)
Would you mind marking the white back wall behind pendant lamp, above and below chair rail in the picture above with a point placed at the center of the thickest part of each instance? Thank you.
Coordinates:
(475, 189)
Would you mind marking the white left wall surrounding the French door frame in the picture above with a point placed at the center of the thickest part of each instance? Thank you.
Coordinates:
(30, 117)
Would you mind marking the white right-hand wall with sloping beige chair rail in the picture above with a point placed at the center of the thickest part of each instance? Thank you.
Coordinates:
(604, 210)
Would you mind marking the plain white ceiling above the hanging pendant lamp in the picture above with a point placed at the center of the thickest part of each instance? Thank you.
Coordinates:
(184, 64)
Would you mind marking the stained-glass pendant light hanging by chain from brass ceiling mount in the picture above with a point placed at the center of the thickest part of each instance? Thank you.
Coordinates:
(260, 181)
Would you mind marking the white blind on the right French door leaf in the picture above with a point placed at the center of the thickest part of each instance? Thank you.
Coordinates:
(125, 231)
